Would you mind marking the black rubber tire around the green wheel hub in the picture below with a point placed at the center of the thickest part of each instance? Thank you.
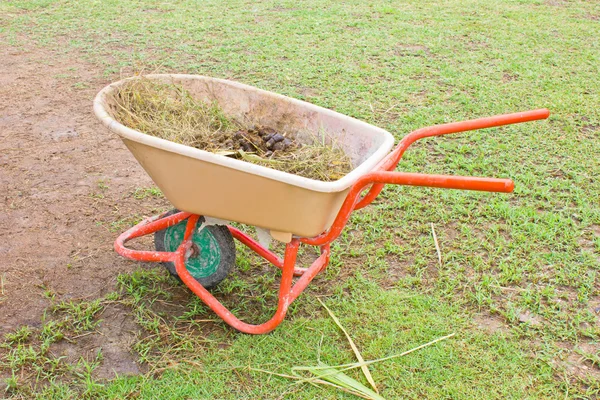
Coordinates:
(225, 242)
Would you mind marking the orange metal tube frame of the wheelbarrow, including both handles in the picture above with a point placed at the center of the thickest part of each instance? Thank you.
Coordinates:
(374, 181)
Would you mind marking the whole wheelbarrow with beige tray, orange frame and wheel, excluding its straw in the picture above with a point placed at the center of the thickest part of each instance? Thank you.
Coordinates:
(293, 209)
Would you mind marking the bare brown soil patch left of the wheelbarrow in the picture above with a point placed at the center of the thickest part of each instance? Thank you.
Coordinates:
(64, 181)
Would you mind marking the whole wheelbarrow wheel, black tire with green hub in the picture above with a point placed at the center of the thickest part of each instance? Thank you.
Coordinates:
(213, 251)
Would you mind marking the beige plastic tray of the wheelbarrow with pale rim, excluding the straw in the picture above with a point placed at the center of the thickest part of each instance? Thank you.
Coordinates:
(204, 183)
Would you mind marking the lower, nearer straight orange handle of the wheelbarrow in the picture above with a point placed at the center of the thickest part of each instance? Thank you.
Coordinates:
(442, 181)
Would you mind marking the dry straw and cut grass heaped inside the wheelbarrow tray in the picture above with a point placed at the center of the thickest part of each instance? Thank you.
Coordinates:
(168, 111)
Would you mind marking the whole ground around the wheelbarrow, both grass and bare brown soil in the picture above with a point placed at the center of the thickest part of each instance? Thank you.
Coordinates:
(518, 281)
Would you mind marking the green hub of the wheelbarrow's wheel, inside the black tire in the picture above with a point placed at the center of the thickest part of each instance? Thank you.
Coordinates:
(205, 255)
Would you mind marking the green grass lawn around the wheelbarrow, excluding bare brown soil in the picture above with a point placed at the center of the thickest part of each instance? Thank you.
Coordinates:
(401, 66)
